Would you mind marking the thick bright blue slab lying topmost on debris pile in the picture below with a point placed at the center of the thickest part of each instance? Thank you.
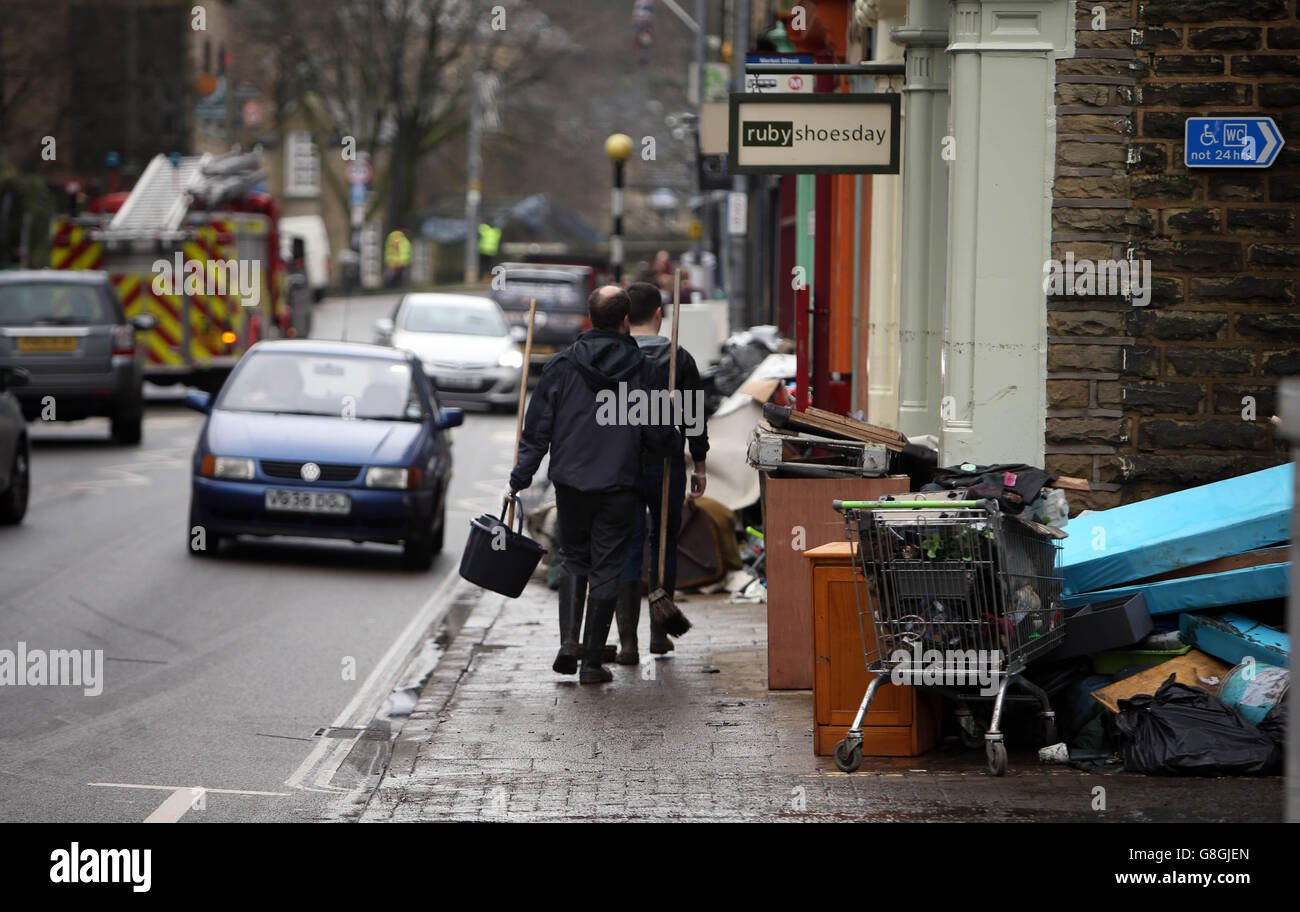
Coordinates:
(1150, 537)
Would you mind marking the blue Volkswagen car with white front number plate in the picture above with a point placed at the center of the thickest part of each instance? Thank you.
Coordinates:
(323, 440)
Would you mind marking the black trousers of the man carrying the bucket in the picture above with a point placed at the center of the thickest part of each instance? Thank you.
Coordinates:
(595, 535)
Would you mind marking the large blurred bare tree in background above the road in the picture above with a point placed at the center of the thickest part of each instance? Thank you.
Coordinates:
(396, 75)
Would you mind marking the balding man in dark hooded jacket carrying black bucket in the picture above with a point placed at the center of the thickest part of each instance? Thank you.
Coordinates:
(596, 453)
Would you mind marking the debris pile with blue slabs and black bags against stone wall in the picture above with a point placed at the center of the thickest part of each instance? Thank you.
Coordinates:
(1178, 614)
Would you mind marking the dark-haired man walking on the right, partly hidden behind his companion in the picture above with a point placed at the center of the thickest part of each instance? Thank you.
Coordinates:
(647, 319)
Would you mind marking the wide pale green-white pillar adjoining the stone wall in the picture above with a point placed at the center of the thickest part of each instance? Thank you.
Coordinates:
(1003, 57)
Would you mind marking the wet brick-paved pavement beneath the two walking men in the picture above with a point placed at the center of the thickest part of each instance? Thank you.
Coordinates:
(697, 736)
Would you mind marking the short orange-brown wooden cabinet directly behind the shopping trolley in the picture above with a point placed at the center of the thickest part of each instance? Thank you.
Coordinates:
(903, 722)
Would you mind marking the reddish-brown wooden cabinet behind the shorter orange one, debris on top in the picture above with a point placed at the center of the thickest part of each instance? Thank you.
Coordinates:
(798, 516)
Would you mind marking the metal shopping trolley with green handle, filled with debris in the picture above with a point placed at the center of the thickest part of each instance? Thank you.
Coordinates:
(955, 596)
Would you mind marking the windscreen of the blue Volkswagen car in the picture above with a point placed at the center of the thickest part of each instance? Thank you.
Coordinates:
(343, 388)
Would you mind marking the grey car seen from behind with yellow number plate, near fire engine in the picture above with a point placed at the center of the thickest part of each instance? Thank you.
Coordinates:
(70, 333)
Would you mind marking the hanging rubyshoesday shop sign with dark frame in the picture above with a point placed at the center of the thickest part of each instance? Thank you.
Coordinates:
(814, 134)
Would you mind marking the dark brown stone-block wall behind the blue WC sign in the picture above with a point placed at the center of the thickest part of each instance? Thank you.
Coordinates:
(1149, 399)
